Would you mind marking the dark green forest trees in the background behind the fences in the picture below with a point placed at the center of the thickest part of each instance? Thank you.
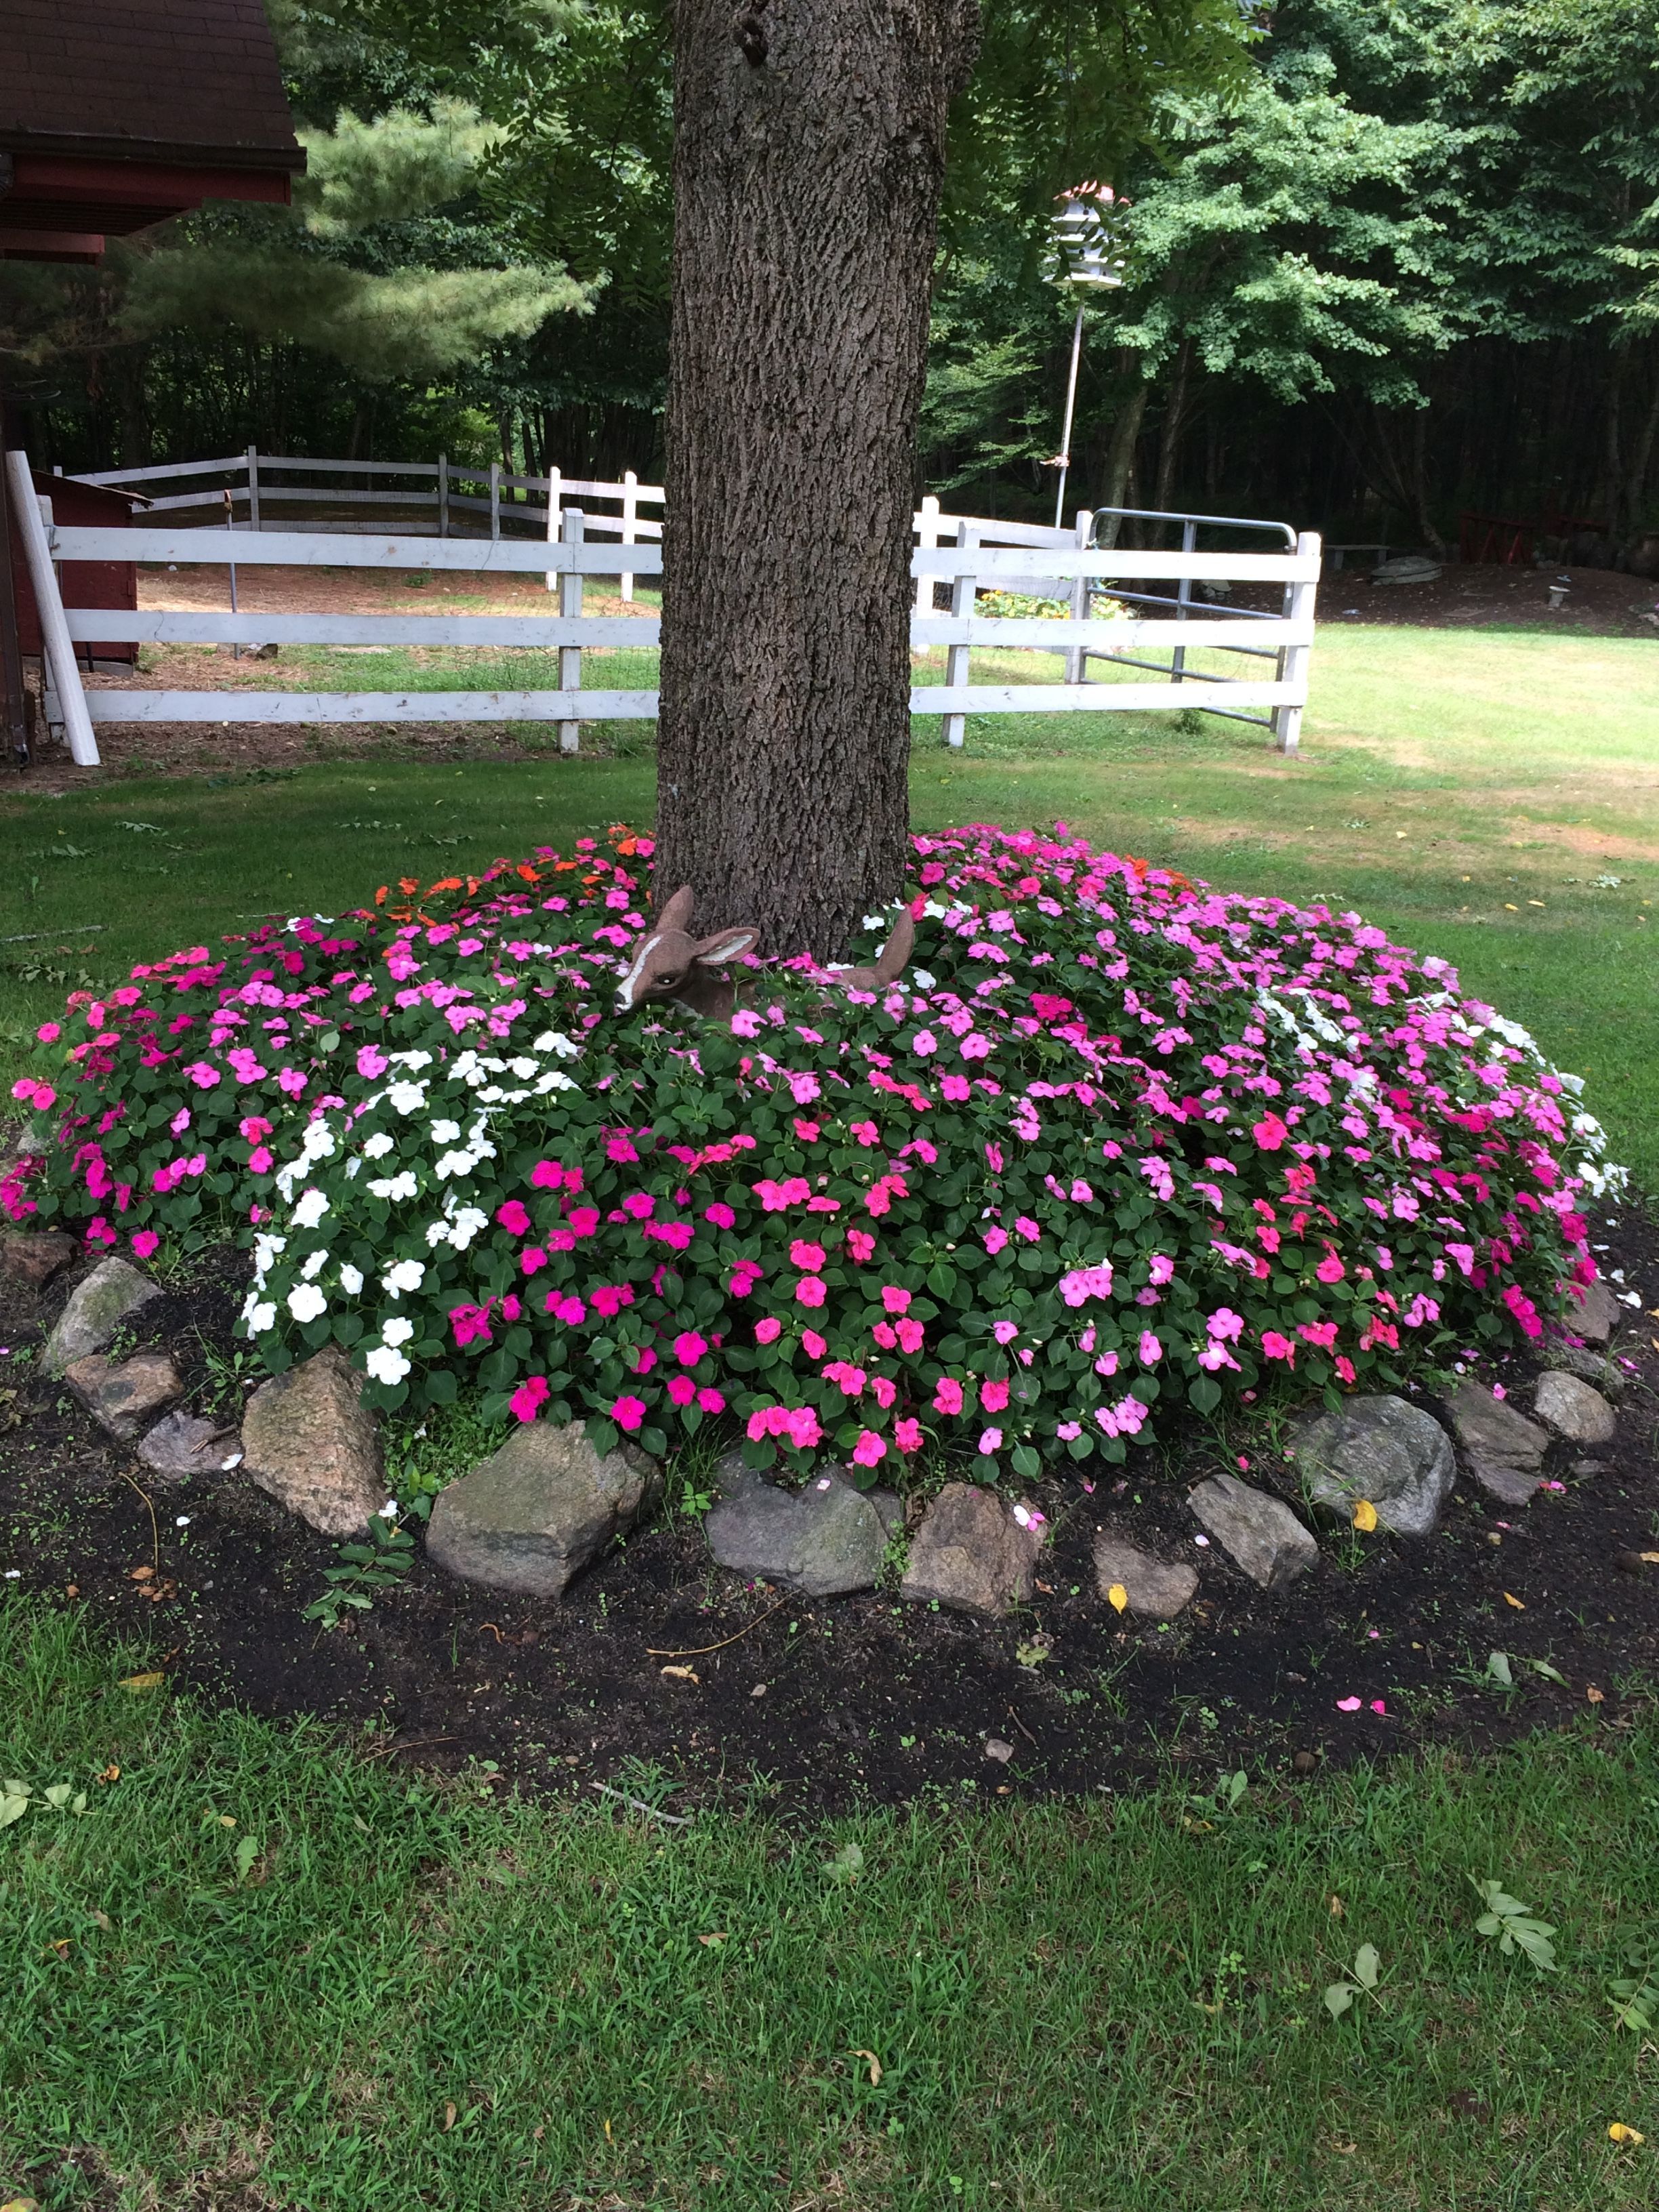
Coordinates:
(1399, 267)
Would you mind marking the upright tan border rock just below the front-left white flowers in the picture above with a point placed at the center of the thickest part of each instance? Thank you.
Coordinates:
(313, 1446)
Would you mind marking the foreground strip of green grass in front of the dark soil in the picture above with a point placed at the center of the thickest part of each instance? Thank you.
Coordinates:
(264, 1970)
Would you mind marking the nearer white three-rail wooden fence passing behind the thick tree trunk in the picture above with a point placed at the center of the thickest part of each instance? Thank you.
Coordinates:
(981, 556)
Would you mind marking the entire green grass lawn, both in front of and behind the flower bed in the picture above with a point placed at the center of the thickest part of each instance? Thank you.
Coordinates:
(267, 1972)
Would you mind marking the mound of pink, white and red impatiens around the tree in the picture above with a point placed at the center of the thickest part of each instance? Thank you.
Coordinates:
(1114, 1145)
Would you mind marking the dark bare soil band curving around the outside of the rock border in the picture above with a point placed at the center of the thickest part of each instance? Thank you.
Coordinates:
(864, 1700)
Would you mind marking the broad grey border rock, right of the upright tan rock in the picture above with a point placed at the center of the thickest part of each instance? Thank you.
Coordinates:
(541, 1510)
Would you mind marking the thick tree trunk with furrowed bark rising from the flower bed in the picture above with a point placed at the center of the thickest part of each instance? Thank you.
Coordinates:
(808, 167)
